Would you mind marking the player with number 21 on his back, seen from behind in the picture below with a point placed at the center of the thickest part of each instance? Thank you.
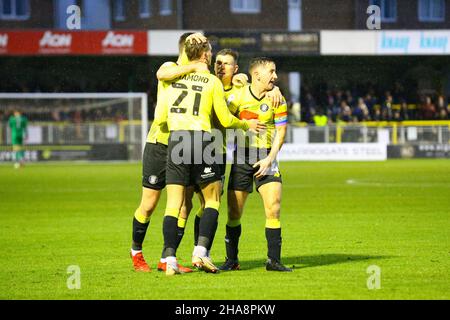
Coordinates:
(191, 101)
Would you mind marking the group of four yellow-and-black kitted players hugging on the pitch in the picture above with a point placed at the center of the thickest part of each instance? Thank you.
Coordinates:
(186, 152)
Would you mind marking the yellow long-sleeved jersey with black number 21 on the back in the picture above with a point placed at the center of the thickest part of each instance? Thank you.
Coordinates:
(190, 102)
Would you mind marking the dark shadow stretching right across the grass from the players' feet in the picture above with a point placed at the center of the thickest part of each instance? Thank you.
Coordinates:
(301, 262)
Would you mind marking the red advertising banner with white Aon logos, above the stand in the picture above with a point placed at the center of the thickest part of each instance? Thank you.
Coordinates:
(56, 42)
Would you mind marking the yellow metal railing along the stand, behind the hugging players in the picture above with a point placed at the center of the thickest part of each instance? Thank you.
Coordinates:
(130, 132)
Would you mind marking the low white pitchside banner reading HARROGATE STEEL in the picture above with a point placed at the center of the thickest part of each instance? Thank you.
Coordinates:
(333, 152)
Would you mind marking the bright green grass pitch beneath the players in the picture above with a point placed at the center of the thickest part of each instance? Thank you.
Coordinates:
(338, 218)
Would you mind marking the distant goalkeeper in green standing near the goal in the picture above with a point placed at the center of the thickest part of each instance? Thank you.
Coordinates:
(18, 124)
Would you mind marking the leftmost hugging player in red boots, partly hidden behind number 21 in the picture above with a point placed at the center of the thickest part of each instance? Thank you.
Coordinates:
(154, 163)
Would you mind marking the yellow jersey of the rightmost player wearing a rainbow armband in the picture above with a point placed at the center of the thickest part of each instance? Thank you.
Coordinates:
(250, 107)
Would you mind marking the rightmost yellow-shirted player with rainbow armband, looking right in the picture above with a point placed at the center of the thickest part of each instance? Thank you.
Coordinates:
(255, 161)
